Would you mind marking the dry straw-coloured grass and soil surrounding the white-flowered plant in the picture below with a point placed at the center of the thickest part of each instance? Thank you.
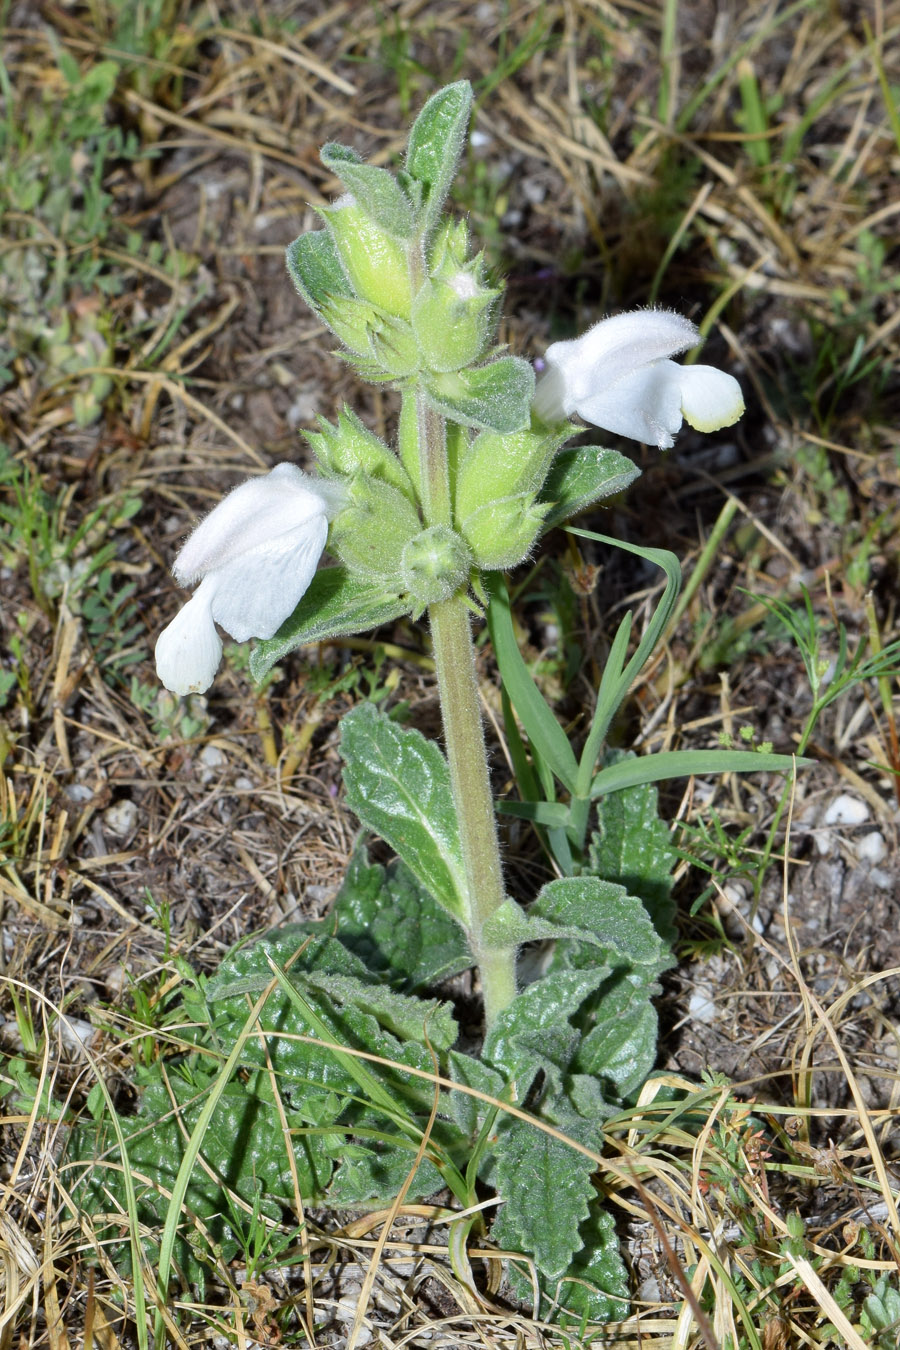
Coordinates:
(612, 165)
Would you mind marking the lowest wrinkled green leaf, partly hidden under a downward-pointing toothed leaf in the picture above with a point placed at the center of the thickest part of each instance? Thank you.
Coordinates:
(594, 1289)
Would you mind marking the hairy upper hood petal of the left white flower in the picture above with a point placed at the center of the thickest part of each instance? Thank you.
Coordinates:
(254, 514)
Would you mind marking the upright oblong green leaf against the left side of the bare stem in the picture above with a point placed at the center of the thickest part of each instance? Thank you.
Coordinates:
(399, 785)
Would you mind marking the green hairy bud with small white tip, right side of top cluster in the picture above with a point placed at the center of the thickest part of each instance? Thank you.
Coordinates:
(454, 321)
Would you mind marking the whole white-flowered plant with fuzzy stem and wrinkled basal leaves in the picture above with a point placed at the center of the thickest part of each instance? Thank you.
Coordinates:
(478, 472)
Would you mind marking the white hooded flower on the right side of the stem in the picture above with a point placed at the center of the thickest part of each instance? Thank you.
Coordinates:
(619, 377)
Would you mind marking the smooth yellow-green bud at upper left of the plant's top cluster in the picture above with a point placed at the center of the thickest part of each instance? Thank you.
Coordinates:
(373, 259)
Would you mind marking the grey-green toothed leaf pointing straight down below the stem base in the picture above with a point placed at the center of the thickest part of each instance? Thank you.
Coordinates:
(547, 1193)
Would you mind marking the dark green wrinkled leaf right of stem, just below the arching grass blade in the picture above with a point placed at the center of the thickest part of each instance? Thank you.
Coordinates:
(634, 847)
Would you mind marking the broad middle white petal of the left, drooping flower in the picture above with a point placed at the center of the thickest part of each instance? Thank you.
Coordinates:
(257, 592)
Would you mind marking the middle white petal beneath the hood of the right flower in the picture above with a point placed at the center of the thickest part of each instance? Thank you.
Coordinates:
(646, 406)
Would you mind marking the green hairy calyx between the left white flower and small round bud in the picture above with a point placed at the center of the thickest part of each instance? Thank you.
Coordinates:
(373, 531)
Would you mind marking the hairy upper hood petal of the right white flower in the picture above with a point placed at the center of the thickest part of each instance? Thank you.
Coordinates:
(613, 350)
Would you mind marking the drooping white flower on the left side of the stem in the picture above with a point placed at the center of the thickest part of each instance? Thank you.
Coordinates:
(254, 557)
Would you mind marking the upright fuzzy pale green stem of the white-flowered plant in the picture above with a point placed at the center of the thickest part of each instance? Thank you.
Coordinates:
(465, 736)
